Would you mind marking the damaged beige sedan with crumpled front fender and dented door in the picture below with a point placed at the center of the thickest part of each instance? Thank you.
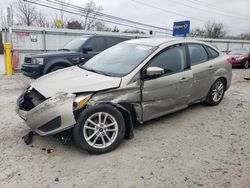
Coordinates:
(132, 82)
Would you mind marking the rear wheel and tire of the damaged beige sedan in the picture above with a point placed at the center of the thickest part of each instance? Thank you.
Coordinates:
(218, 89)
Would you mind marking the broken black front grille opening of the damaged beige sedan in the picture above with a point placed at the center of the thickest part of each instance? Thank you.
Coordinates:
(30, 99)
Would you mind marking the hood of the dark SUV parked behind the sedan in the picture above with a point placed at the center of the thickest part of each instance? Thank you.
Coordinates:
(53, 54)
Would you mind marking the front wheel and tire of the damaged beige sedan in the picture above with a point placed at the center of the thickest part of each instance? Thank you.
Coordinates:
(95, 137)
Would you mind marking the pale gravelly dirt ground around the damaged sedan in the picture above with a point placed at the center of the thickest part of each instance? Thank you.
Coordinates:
(198, 147)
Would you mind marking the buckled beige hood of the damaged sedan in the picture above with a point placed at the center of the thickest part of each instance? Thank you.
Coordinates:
(74, 80)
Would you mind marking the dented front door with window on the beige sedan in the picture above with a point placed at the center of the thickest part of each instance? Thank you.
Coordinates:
(171, 91)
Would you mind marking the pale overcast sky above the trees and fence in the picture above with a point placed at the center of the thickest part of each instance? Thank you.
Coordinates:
(234, 14)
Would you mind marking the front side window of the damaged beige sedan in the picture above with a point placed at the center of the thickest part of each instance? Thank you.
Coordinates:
(171, 60)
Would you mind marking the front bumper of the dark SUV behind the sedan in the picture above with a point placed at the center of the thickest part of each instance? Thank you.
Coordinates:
(32, 70)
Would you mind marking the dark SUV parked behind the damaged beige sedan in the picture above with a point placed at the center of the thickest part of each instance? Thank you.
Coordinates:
(76, 51)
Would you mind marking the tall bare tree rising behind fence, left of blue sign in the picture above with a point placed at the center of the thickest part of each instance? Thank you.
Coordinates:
(90, 13)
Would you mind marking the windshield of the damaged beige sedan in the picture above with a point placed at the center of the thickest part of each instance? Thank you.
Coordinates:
(119, 60)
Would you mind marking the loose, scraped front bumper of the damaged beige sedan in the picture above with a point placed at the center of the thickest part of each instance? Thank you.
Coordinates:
(52, 116)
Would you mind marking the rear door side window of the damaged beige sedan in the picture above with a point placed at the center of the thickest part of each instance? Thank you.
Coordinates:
(197, 53)
